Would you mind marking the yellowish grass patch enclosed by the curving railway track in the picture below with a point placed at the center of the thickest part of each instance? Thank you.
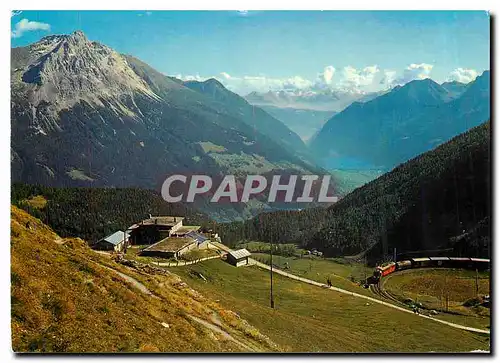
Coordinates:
(450, 291)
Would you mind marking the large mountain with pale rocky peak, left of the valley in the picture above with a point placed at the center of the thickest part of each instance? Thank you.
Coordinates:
(85, 115)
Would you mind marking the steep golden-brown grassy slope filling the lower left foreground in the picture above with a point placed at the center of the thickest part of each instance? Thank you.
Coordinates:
(67, 298)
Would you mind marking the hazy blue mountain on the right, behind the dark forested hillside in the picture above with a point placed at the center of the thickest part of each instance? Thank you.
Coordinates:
(402, 123)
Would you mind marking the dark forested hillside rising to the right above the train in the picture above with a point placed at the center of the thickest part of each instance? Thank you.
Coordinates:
(440, 199)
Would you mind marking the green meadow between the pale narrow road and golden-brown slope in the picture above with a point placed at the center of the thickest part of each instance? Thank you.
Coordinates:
(310, 319)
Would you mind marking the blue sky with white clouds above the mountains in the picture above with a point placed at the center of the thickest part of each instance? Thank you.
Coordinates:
(298, 51)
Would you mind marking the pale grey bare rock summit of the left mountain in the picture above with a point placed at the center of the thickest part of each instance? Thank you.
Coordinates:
(64, 70)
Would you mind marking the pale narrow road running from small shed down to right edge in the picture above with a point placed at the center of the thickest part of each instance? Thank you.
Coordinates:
(377, 301)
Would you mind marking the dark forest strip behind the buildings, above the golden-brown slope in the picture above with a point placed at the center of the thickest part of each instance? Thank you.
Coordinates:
(93, 213)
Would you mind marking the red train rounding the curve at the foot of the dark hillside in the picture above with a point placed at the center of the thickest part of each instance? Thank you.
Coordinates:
(450, 262)
